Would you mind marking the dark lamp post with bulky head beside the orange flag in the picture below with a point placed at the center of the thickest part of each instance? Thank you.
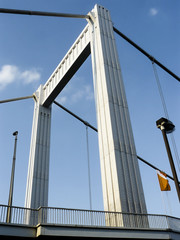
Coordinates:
(166, 127)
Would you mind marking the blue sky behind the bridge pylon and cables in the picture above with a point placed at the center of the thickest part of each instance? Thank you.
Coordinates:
(30, 49)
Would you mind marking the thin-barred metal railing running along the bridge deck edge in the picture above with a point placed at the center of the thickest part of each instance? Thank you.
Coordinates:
(78, 217)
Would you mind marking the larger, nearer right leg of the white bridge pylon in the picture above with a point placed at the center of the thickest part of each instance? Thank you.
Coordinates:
(122, 186)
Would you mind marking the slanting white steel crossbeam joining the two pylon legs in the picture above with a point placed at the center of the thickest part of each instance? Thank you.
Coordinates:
(74, 58)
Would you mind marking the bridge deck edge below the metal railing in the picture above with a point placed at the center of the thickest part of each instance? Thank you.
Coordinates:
(44, 231)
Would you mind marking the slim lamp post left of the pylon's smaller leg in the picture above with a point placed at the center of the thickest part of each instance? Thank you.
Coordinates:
(8, 218)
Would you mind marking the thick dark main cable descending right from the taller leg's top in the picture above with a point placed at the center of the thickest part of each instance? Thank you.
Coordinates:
(146, 54)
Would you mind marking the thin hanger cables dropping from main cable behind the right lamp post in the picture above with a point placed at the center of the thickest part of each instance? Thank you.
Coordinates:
(166, 113)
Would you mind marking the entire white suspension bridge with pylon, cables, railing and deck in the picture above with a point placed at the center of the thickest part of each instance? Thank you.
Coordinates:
(125, 212)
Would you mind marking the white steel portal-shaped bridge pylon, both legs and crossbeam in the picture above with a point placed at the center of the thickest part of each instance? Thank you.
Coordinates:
(121, 181)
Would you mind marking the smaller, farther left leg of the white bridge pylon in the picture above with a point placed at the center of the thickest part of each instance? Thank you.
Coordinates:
(38, 170)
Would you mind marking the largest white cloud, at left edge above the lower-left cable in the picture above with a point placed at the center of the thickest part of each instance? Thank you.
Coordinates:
(11, 73)
